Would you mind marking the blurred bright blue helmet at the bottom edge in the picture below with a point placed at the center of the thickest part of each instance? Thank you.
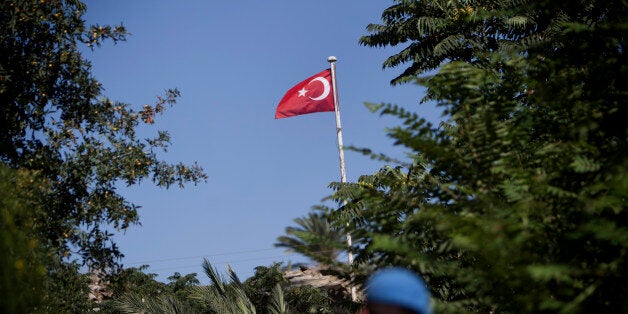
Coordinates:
(401, 287)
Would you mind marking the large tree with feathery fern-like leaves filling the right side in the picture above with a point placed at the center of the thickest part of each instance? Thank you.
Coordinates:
(517, 201)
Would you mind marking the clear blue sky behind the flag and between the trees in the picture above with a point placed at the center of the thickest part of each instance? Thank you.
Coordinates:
(233, 61)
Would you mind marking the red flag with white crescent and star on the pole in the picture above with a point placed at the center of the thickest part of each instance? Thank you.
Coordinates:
(314, 94)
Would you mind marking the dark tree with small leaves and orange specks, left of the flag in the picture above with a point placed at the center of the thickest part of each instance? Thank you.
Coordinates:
(53, 119)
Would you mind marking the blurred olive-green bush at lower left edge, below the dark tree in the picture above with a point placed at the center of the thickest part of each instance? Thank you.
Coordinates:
(24, 258)
